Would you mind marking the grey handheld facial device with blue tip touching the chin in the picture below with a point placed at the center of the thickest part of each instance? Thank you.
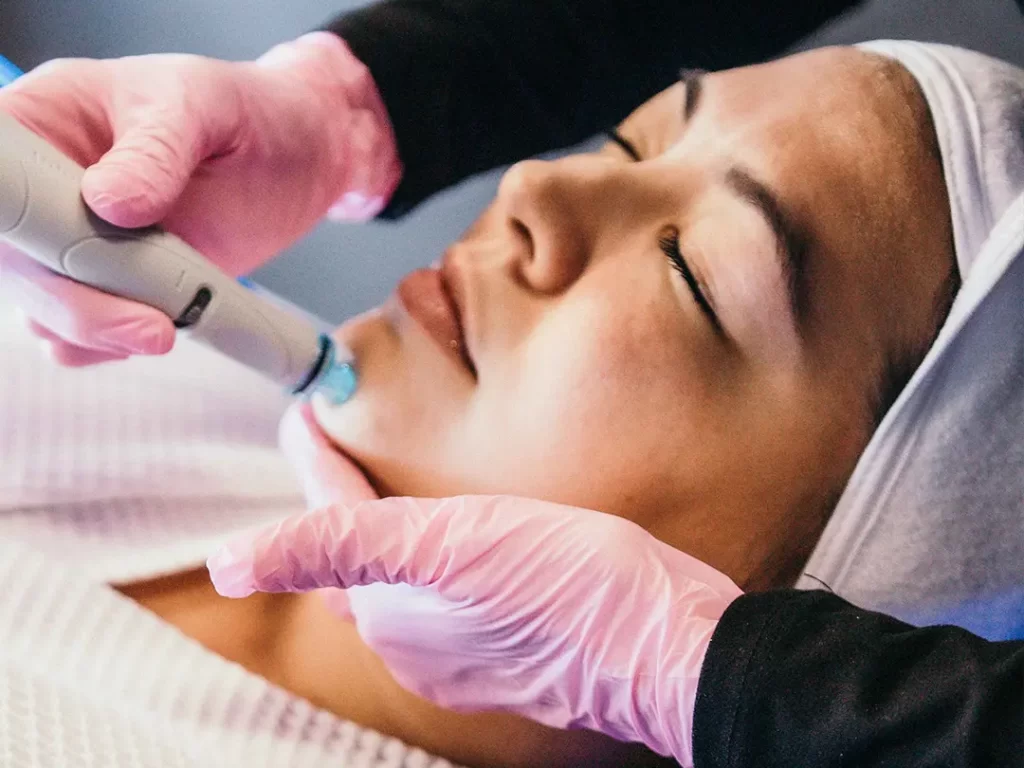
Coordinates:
(44, 216)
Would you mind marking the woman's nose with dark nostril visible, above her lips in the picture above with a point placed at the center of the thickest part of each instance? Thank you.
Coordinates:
(556, 209)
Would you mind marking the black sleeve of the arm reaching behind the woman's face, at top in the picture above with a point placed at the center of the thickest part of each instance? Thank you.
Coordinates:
(475, 84)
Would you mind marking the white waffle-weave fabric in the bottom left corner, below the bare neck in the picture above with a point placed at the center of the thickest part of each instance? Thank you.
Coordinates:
(89, 679)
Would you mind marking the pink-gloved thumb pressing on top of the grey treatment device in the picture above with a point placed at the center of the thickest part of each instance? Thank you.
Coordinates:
(139, 181)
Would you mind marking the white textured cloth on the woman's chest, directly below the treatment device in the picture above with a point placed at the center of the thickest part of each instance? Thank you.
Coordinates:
(136, 470)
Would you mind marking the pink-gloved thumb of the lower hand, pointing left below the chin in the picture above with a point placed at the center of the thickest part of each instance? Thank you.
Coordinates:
(395, 541)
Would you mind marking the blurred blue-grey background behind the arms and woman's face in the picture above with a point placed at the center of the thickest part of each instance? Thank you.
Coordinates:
(342, 270)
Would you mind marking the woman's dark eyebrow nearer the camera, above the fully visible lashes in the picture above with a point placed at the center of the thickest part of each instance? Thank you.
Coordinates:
(791, 243)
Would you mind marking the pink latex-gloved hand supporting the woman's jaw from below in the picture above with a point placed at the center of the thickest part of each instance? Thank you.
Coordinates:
(571, 618)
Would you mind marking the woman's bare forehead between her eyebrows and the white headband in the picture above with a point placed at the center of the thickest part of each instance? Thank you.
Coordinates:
(831, 131)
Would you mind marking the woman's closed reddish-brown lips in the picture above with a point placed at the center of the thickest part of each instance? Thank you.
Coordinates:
(428, 297)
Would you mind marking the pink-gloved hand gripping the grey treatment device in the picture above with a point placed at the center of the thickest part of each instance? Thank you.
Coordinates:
(239, 159)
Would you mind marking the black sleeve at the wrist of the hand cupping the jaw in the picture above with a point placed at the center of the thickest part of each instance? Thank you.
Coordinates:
(805, 679)
